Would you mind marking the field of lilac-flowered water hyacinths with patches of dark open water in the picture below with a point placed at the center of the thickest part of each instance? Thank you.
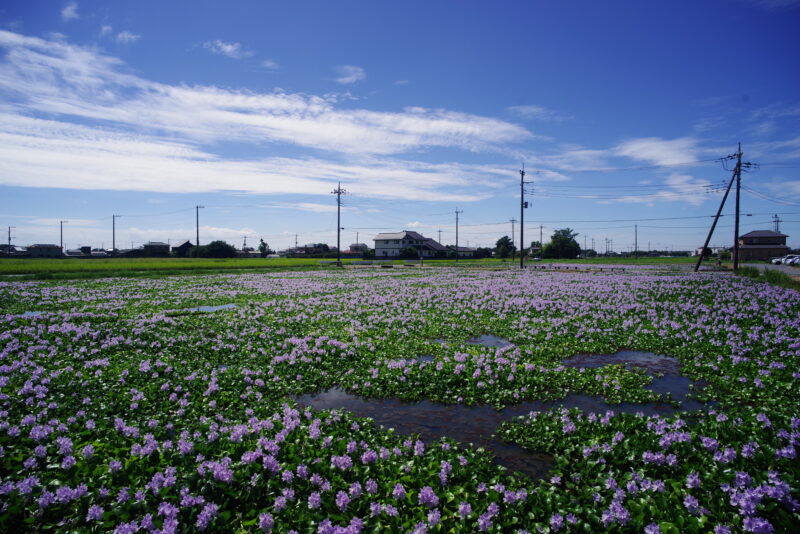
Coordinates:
(650, 402)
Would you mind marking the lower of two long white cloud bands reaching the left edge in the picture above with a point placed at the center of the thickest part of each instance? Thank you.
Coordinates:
(42, 153)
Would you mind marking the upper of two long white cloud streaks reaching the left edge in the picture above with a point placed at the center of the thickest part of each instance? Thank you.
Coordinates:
(57, 79)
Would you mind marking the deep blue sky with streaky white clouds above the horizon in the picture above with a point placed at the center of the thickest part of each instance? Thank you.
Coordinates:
(256, 110)
